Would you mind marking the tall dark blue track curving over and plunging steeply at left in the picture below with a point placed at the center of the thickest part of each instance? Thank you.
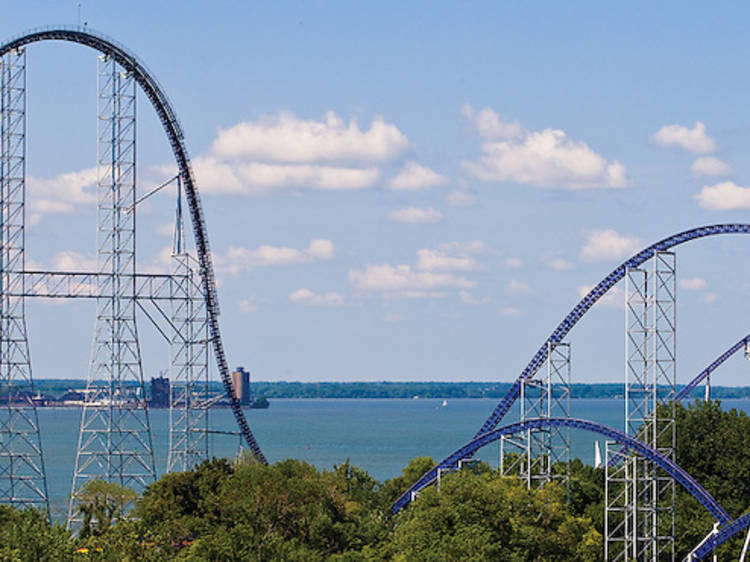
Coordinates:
(155, 93)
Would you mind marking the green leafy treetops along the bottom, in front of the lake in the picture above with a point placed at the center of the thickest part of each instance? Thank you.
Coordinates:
(241, 510)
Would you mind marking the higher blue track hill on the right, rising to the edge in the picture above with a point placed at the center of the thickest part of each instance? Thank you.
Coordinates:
(577, 313)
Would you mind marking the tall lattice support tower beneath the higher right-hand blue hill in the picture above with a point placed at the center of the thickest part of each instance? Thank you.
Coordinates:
(639, 497)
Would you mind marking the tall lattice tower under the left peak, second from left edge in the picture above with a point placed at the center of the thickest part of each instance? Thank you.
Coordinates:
(115, 441)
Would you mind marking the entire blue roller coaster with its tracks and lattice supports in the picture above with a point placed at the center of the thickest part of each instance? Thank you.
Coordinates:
(115, 440)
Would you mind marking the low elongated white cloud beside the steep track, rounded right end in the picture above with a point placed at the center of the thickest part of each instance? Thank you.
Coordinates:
(239, 259)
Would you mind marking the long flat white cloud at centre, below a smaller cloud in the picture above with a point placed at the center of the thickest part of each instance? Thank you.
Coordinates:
(404, 278)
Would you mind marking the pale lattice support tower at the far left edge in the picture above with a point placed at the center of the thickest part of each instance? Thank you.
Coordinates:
(22, 475)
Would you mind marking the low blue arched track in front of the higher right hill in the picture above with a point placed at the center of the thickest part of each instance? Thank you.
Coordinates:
(679, 475)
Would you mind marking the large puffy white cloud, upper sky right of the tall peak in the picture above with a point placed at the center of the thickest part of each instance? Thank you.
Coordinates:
(286, 138)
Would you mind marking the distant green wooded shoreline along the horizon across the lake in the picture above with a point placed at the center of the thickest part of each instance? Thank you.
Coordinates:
(406, 390)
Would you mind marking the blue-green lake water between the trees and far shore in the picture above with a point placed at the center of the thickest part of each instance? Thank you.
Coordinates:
(380, 436)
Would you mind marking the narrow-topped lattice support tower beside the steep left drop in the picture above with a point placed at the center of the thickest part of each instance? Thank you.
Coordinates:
(188, 402)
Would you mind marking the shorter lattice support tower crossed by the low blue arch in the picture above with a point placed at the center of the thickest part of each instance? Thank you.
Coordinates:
(540, 455)
